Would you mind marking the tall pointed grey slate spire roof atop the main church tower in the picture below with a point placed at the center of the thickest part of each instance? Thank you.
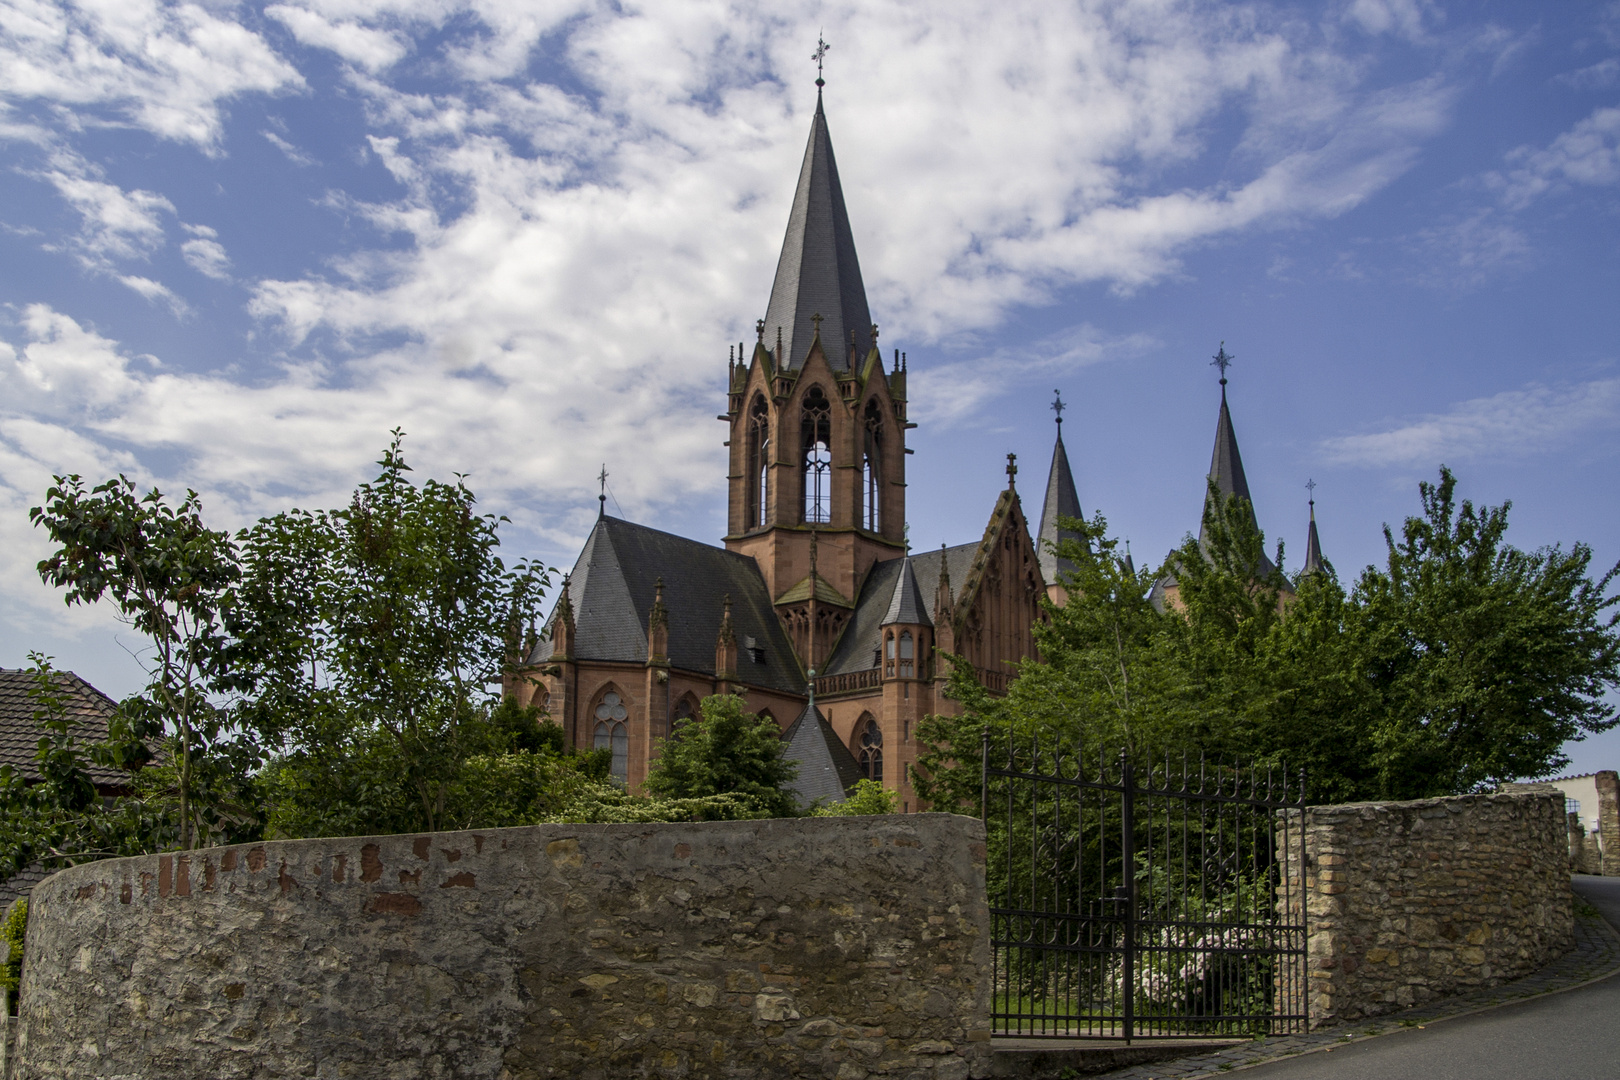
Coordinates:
(819, 271)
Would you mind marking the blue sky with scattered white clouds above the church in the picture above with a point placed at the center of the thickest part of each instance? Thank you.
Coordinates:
(241, 244)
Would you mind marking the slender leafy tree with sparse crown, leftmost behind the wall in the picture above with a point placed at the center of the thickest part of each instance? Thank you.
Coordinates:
(176, 582)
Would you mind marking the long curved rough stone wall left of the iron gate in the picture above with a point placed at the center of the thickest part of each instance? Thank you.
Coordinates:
(801, 948)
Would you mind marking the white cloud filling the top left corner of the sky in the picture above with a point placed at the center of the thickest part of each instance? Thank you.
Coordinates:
(163, 67)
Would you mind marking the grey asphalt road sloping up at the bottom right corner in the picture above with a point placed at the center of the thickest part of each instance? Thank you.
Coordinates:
(1562, 1037)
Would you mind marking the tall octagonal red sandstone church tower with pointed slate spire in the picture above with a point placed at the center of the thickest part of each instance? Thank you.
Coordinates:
(817, 482)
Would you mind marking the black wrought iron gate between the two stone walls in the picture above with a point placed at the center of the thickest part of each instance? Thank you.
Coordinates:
(1149, 899)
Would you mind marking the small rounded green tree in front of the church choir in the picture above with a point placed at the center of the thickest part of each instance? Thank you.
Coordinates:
(728, 750)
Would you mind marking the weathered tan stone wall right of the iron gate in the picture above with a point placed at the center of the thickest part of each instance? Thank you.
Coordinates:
(1425, 899)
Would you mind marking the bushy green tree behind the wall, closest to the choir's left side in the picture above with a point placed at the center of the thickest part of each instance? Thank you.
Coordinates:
(370, 639)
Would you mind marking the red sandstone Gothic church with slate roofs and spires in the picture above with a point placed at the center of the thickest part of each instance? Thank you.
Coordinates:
(814, 611)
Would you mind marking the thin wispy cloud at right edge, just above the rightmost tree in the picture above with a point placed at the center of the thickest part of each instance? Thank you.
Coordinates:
(1503, 427)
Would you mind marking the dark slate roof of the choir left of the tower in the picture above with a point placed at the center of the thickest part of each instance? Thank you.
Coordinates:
(612, 592)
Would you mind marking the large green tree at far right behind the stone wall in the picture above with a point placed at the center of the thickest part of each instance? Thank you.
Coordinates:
(1483, 660)
